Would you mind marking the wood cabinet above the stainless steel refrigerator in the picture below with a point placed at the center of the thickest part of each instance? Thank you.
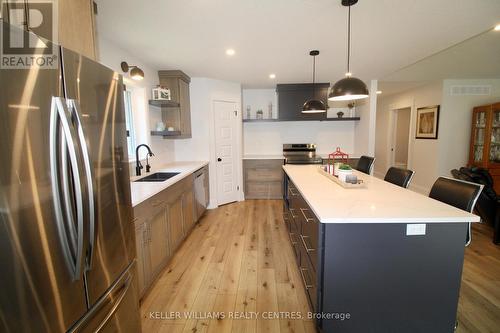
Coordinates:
(76, 24)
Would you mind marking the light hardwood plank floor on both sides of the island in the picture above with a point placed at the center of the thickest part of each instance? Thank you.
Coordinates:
(238, 259)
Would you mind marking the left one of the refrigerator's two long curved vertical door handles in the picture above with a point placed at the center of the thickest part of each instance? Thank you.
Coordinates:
(65, 142)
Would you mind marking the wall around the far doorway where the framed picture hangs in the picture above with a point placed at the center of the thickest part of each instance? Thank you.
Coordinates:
(423, 154)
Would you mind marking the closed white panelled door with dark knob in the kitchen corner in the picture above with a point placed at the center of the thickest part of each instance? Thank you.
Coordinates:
(225, 116)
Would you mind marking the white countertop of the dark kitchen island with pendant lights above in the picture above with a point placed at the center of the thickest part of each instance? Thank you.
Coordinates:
(378, 202)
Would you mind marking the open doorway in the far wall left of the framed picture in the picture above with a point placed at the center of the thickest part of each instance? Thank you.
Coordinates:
(401, 137)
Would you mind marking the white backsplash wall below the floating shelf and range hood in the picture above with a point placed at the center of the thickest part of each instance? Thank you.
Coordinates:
(268, 138)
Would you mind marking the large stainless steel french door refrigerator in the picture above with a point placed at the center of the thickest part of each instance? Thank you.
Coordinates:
(67, 248)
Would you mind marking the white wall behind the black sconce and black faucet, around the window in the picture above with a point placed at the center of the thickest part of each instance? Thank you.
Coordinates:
(145, 117)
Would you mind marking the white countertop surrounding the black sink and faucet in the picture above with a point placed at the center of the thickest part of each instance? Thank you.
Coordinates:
(142, 191)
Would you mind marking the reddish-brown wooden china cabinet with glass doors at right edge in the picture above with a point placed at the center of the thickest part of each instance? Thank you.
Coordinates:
(485, 140)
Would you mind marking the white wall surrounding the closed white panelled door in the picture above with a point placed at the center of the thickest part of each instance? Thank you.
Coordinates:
(203, 92)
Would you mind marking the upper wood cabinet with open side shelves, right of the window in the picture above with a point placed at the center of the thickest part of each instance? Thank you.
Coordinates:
(177, 112)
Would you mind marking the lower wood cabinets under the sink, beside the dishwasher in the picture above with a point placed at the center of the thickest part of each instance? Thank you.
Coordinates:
(161, 224)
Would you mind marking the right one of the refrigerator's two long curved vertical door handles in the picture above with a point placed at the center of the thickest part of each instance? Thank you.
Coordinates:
(73, 106)
